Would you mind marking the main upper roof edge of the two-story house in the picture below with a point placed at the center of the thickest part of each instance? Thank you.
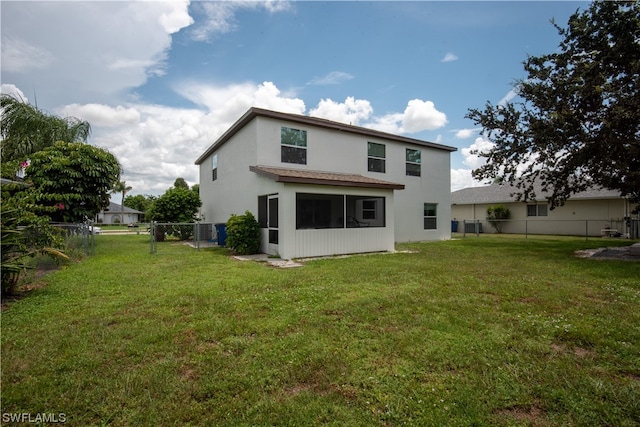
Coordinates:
(254, 112)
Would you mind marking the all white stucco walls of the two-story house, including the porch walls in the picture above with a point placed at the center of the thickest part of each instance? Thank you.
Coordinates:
(236, 189)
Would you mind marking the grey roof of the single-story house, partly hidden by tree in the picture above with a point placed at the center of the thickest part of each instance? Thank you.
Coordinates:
(504, 193)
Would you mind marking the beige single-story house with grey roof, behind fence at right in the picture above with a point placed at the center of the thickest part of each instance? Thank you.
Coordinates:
(596, 212)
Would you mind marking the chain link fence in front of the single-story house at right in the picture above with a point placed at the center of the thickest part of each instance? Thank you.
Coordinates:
(625, 228)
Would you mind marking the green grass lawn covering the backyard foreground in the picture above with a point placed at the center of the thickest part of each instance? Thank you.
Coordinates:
(478, 331)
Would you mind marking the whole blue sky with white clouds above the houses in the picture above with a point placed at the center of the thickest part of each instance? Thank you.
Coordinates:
(160, 81)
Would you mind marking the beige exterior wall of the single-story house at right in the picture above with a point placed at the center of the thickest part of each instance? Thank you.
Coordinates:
(576, 217)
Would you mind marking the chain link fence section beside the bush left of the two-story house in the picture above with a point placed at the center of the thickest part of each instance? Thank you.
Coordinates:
(197, 235)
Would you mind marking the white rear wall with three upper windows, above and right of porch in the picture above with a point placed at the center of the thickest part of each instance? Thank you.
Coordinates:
(334, 151)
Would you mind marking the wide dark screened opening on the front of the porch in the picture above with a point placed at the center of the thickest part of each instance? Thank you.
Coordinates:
(319, 211)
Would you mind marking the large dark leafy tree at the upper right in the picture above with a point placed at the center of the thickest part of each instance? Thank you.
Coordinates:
(575, 122)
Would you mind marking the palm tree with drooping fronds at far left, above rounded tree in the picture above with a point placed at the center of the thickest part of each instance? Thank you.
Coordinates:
(26, 129)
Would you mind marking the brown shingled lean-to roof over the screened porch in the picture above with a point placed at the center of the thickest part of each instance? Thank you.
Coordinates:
(323, 178)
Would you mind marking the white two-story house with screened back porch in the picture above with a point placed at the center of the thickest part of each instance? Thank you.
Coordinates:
(320, 187)
